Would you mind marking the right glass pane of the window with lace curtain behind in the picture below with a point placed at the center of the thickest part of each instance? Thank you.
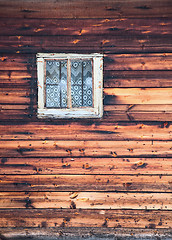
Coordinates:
(81, 83)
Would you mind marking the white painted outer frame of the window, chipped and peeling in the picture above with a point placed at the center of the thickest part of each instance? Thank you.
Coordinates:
(87, 112)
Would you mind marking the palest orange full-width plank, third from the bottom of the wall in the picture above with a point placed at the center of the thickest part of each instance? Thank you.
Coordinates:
(86, 200)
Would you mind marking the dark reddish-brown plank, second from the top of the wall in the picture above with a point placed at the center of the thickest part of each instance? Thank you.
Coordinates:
(79, 26)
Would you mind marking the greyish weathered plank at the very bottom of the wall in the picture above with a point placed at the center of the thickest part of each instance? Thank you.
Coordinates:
(77, 232)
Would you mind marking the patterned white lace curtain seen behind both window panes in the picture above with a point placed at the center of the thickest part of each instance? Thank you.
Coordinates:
(81, 84)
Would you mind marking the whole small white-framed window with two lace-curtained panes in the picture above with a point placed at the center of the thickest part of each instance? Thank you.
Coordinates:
(70, 85)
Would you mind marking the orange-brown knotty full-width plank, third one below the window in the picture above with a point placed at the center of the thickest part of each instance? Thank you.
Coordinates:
(84, 165)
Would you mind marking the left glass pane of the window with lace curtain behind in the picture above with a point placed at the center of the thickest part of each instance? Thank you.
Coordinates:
(56, 84)
